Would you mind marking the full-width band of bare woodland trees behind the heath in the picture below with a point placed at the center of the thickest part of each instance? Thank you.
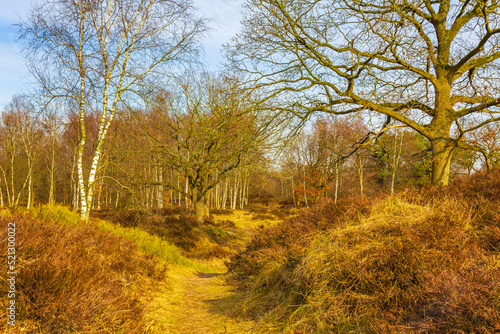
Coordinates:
(165, 157)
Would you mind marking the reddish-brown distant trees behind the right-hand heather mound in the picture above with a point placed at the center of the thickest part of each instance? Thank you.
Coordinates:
(339, 157)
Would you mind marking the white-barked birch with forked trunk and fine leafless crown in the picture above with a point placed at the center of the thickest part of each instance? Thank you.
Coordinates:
(98, 52)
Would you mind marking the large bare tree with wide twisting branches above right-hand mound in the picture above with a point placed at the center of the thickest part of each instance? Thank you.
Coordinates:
(431, 65)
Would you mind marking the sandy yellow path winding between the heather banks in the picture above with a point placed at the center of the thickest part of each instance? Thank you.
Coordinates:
(200, 303)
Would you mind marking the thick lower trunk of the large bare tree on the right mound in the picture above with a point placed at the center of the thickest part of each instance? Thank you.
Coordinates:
(442, 150)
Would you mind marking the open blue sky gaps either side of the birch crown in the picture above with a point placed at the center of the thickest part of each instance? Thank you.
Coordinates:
(14, 75)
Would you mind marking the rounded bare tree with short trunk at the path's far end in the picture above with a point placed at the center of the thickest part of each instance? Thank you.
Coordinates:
(205, 130)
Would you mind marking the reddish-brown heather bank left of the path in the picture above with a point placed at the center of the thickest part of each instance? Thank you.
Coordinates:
(76, 278)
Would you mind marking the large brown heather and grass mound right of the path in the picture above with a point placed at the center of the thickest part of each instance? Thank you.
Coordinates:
(420, 262)
